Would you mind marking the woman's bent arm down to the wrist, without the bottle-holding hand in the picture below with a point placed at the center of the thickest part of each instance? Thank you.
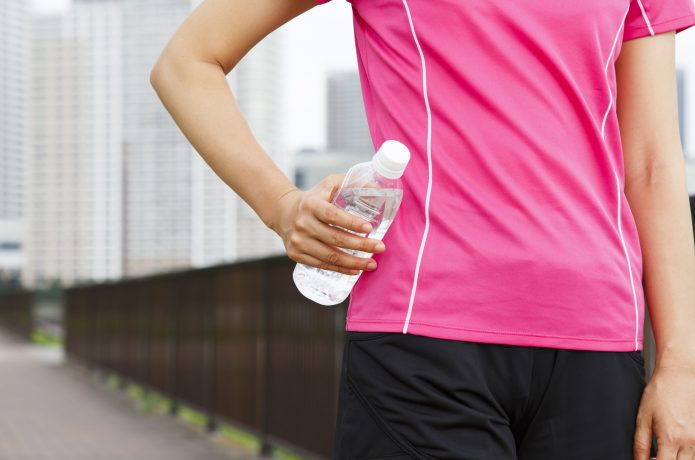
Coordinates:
(189, 78)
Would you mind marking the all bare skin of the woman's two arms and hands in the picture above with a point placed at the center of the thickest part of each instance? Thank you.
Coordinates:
(189, 78)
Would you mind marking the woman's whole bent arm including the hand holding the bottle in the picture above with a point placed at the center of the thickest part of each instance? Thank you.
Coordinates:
(189, 78)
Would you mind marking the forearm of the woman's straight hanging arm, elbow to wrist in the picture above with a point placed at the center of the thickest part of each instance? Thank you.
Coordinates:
(659, 202)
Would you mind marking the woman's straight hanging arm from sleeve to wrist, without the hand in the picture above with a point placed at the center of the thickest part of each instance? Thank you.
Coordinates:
(656, 188)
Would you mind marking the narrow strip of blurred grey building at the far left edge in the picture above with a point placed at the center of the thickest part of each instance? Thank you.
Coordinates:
(13, 54)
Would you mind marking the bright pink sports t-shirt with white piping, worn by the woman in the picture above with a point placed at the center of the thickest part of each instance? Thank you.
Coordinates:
(514, 228)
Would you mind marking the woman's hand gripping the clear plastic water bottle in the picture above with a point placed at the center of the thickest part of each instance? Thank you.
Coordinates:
(305, 221)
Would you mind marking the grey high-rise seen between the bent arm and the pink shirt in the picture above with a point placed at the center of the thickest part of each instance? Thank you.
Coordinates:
(347, 122)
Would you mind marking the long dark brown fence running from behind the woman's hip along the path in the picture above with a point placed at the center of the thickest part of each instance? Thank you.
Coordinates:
(237, 341)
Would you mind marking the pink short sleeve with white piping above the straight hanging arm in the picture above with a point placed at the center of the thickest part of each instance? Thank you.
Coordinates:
(650, 17)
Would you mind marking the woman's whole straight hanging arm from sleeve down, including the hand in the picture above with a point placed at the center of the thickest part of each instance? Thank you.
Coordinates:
(655, 186)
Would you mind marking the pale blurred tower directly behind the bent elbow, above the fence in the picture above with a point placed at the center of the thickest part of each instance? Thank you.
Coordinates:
(158, 158)
